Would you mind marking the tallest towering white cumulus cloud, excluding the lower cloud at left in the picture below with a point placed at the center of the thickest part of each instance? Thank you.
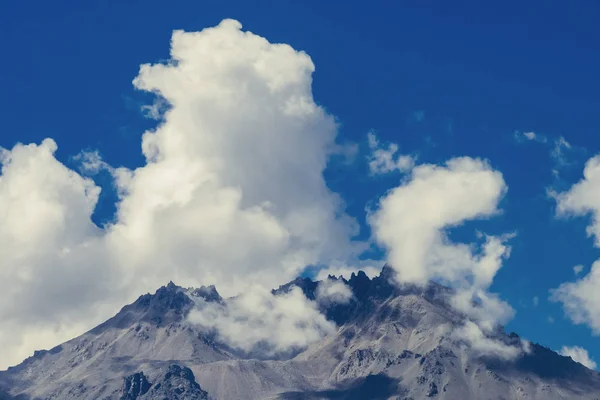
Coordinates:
(233, 186)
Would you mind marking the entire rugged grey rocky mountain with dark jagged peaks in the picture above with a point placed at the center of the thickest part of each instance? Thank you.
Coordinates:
(390, 343)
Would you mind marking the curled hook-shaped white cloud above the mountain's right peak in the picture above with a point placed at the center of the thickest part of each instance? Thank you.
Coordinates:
(411, 222)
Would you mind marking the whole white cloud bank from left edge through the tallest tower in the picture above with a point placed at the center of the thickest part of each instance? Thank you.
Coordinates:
(232, 193)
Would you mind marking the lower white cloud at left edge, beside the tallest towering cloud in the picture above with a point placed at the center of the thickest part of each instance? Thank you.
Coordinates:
(55, 267)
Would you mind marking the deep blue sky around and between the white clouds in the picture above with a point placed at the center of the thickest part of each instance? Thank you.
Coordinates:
(439, 80)
